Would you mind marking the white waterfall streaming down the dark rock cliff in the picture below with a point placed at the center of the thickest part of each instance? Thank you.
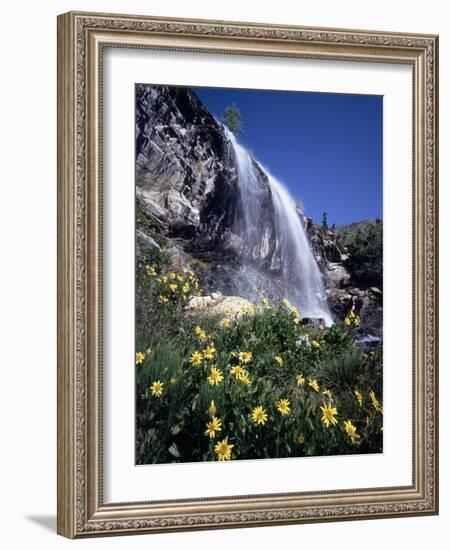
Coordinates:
(292, 262)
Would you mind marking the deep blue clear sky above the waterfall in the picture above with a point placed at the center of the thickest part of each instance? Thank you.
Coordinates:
(325, 148)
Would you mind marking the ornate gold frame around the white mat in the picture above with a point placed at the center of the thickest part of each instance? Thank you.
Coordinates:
(81, 37)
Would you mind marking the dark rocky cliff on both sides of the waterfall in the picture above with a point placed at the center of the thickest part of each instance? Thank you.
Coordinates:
(188, 198)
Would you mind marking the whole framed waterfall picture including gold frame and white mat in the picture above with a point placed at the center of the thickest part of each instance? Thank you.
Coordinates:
(247, 276)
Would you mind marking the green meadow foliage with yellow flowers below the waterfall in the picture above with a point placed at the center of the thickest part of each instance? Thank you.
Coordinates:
(282, 359)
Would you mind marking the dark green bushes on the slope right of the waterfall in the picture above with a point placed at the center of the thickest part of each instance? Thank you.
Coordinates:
(365, 245)
